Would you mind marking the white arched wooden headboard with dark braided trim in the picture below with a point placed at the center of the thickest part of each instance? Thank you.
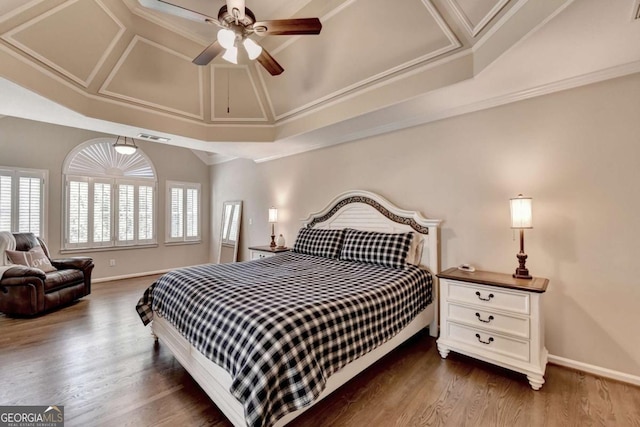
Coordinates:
(368, 211)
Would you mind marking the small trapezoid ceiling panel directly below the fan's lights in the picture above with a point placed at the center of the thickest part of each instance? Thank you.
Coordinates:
(235, 95)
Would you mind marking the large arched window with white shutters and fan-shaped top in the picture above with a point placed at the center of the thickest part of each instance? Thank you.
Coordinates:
(110, 198)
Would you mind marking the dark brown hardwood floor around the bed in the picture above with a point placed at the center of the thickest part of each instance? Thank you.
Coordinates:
(96, 358)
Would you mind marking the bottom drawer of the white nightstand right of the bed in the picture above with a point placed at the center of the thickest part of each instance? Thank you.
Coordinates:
(493, 343)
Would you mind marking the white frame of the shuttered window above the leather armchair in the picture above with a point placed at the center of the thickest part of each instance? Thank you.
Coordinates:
(44, 196)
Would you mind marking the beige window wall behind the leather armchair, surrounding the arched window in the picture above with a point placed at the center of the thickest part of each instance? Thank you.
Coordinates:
(36, 145)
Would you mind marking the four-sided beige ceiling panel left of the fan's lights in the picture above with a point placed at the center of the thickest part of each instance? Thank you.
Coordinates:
(151, 74)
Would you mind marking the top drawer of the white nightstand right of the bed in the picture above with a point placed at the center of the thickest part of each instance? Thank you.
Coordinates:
(489, 297)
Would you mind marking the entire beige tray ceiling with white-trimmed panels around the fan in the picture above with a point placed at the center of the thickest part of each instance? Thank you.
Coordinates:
(124, 66)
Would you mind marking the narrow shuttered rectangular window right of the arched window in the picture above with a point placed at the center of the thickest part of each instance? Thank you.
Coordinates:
(183, 211)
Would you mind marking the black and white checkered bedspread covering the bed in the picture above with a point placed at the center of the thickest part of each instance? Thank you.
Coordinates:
(282, 325)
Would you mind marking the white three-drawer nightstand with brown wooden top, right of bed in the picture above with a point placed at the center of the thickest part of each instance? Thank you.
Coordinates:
(495, 318)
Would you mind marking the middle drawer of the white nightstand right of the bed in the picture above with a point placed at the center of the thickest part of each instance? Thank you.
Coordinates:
(489, 320)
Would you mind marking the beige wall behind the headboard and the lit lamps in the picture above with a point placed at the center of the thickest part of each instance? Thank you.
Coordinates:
(577, 153)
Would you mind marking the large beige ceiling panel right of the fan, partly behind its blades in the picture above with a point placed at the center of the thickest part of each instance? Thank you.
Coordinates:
(390, 37)
